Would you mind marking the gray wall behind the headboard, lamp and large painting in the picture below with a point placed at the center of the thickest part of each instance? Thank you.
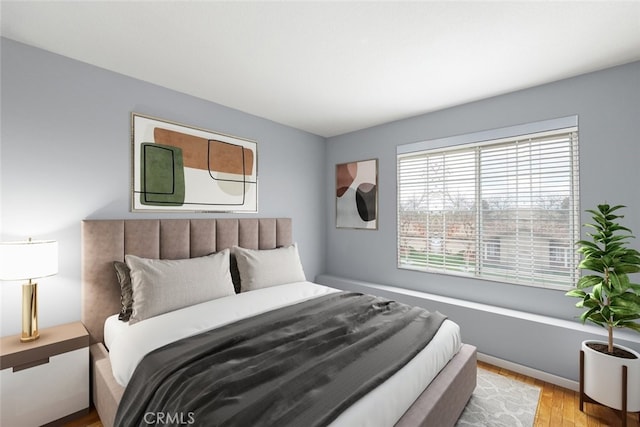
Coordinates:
(65, 156)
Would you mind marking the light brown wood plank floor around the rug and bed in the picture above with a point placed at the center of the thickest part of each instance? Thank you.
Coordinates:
(557, 407)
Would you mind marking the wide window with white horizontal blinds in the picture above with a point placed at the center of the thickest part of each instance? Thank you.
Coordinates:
(502, 205)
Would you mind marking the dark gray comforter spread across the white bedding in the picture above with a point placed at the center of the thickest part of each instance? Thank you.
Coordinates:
(300, 365)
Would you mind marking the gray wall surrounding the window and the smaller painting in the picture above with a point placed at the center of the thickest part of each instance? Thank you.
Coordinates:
(608, 107)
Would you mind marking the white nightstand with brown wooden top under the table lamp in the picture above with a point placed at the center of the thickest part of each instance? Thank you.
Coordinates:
(45, 381)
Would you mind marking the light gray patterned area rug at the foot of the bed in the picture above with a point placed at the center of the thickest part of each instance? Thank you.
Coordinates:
(500, 401)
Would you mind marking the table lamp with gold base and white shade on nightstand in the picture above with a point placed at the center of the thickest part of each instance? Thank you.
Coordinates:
(28, 260)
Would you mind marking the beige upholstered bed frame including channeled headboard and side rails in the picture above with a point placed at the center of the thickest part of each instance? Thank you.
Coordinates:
(105, 241)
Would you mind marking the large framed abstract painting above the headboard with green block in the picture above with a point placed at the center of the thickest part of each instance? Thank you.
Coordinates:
(183, 168)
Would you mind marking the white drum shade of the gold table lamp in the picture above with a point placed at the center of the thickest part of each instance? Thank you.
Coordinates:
(28, 260)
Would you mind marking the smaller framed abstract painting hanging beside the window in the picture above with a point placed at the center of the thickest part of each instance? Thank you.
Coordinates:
(357, 195)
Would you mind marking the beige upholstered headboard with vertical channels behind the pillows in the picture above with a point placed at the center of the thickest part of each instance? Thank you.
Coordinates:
(105, 241)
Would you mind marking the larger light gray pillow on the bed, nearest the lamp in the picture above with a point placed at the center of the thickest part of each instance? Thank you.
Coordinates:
(163, 285)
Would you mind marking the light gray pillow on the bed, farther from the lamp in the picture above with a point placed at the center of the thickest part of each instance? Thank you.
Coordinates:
(270, 267)
